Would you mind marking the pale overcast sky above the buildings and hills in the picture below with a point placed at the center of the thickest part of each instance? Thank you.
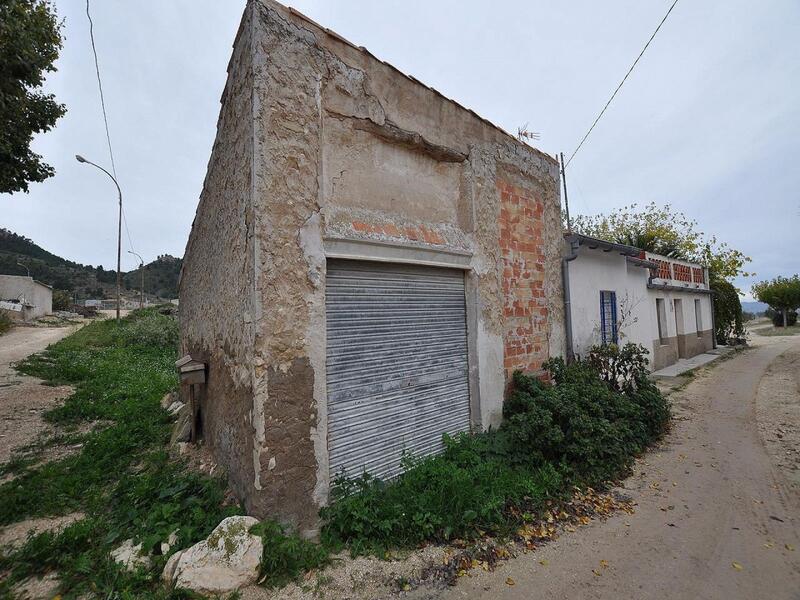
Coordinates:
(709, 121)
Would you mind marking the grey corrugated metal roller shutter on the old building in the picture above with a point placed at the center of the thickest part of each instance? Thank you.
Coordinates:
(396, 363)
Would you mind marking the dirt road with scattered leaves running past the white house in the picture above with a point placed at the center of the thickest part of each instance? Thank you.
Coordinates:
(715, 519)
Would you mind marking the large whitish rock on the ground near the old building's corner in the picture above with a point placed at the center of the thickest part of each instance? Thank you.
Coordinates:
(225, 561)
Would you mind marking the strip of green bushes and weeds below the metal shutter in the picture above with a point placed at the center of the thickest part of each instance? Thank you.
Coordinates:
(579, 430)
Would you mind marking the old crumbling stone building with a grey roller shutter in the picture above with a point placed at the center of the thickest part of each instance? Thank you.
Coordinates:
(369, 263)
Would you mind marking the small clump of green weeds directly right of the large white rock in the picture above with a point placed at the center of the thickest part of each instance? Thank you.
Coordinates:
(286, 556)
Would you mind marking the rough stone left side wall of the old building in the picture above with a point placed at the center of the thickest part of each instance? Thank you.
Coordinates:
(217, 307)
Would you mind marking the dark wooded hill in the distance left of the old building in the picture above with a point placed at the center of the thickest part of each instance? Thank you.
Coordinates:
(84, 281)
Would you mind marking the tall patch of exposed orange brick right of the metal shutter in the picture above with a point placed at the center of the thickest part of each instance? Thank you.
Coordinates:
(524, 301)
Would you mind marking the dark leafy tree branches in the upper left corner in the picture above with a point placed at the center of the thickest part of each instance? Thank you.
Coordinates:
(30, 40)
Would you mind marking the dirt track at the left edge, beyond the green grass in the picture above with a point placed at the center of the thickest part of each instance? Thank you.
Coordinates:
(23, 399)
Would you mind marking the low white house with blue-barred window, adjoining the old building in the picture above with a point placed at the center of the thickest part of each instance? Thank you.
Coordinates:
(617, 293)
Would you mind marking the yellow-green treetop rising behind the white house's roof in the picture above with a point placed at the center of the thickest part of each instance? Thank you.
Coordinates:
(663, 230)
